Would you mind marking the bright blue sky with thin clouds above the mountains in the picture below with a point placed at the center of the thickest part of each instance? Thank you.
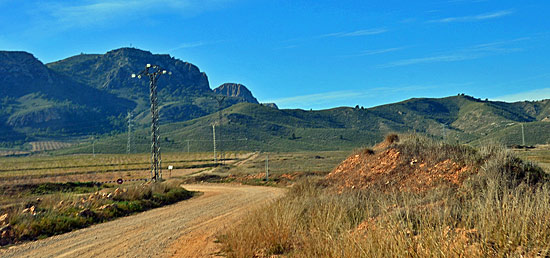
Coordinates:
(311, 53)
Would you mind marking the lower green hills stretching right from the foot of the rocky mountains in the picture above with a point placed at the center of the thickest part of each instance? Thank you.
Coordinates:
(247, 126)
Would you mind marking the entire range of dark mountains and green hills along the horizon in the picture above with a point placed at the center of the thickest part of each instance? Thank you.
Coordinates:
(91, 94)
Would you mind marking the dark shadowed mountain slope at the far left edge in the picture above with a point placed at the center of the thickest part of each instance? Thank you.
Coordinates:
(35, 98)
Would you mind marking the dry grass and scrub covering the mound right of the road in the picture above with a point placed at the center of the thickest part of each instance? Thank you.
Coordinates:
(499, 210)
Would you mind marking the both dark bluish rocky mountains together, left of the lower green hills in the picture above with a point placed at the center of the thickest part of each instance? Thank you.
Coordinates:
(92, 94)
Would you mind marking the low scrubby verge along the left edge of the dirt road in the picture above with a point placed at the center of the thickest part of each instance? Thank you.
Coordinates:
(59, 211)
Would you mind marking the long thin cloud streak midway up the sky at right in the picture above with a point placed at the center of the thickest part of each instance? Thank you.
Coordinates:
(470, 53)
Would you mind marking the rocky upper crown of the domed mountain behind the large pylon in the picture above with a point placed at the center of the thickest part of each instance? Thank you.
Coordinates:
(112, 72)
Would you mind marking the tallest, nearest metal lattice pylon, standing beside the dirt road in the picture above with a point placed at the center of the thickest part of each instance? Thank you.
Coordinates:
(154, 72)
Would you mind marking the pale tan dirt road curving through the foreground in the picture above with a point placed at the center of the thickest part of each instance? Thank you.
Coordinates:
(185, 229)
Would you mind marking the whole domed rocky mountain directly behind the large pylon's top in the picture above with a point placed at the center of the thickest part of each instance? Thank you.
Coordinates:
(183, 95)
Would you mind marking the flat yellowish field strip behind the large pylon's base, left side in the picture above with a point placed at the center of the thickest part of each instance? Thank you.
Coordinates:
(73, 168)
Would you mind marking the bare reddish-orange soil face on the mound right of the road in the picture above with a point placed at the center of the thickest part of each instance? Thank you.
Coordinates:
(388, 169)
